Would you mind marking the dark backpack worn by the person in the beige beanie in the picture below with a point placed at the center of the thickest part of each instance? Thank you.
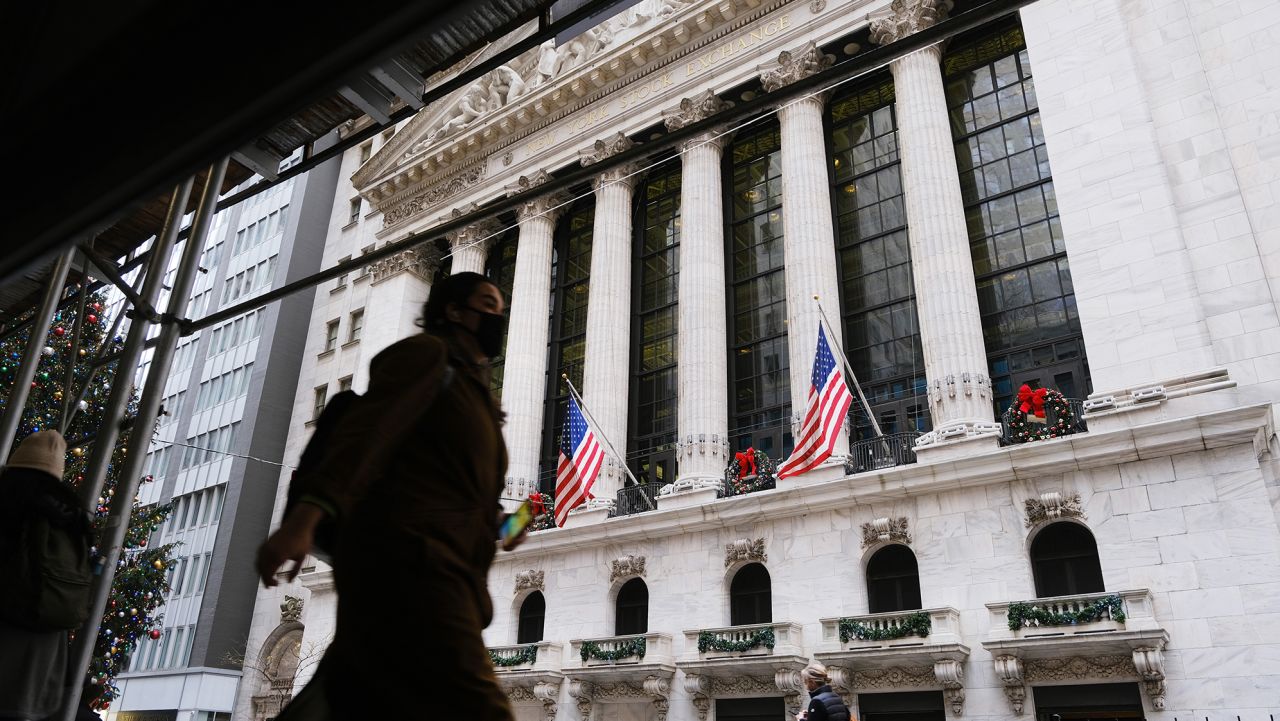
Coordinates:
(45, 554)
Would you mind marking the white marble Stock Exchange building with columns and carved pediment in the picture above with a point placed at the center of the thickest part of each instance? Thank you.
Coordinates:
(1081, 197)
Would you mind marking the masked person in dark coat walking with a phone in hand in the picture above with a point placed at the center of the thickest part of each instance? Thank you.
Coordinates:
(403, 485)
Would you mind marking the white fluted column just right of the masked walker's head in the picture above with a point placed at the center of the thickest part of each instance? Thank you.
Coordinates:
(525, 372)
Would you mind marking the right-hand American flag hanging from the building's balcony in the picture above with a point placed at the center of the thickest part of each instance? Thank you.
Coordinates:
(825, 413)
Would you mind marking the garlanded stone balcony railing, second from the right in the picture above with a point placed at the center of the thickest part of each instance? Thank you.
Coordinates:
(895, 629)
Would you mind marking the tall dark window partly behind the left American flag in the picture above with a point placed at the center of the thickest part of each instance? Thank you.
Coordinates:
(572, 271)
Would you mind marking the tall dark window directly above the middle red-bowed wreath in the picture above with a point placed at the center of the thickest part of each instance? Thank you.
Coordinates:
(761, 403)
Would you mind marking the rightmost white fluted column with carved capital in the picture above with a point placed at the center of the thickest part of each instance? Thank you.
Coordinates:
(947, 299)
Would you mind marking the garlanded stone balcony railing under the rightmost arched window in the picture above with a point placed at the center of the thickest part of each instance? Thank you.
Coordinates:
(1072, 615)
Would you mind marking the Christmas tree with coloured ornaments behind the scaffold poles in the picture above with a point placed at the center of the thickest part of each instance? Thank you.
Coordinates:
(140, 586)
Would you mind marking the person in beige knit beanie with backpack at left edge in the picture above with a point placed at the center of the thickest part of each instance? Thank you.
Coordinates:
(45, 569)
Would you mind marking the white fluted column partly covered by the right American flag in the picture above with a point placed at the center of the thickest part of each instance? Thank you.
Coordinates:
(810, 236)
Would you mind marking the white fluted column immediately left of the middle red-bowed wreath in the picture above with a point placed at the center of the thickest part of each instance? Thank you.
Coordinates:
(702, 369)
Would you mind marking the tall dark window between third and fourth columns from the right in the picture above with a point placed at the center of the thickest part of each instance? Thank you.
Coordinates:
(657, 263)
